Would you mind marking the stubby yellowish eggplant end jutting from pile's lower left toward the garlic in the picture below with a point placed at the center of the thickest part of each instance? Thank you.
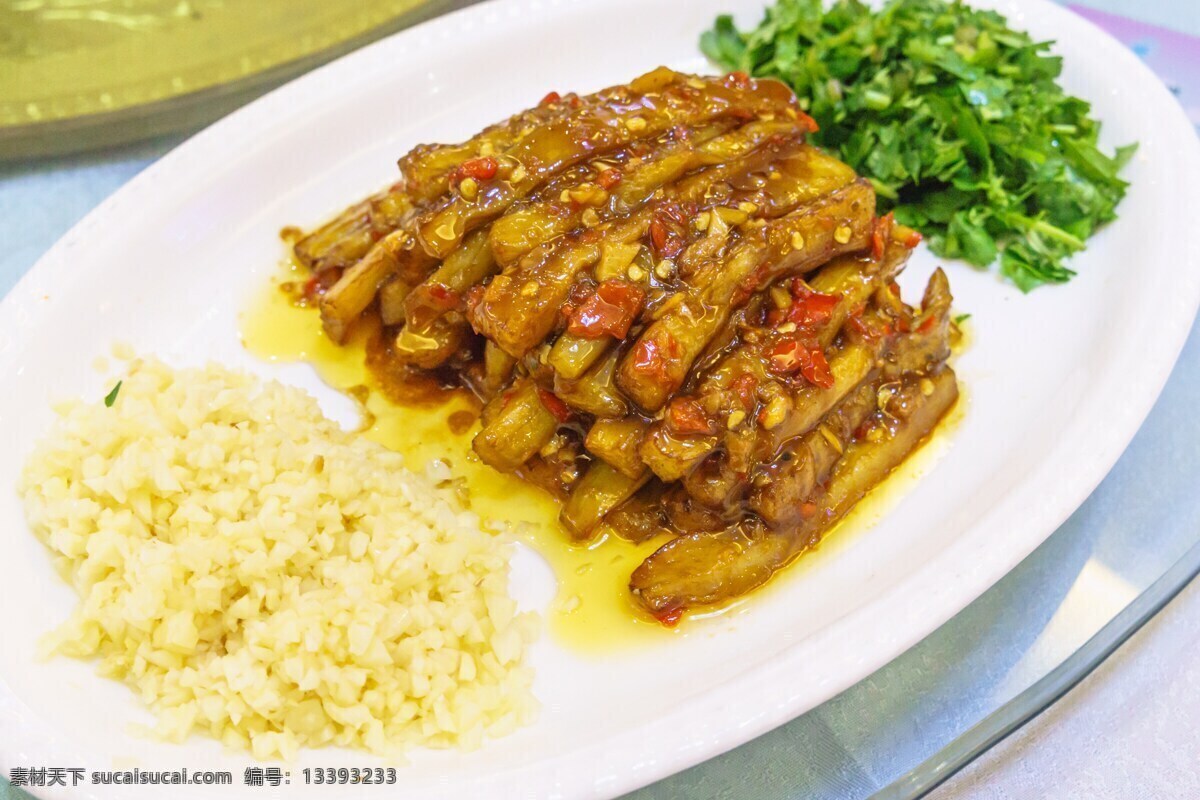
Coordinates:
(518, 428)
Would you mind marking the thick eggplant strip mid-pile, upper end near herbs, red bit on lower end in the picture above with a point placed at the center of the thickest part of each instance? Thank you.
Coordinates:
(661, 360)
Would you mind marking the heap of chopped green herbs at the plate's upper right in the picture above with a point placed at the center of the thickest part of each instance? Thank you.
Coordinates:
(955, 117)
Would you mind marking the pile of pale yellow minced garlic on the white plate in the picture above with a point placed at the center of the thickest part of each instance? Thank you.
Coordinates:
(257, 574)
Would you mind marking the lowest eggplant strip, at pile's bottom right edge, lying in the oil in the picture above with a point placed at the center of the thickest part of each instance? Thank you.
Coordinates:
(707, 569)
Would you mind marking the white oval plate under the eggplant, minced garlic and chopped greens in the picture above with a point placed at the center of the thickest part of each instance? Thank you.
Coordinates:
(1057, 382)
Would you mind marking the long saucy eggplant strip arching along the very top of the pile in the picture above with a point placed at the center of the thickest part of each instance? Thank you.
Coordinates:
(560, 145)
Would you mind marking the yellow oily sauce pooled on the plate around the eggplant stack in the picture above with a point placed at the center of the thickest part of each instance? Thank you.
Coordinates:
(592, 610)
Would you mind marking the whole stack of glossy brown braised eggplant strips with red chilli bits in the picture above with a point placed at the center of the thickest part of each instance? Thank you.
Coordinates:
(679, 317)
